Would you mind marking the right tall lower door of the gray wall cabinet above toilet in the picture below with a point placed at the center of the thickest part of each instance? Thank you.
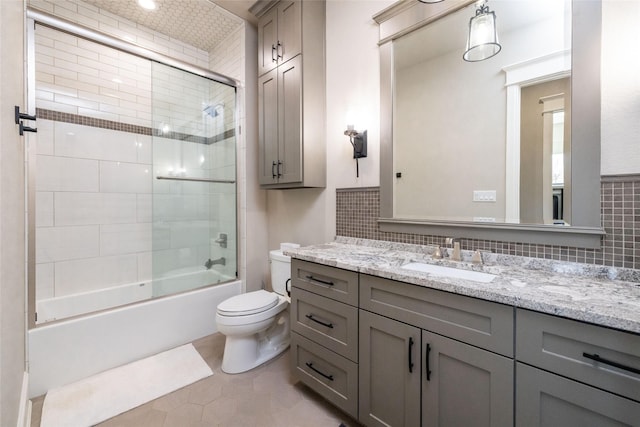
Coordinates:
(289, 167)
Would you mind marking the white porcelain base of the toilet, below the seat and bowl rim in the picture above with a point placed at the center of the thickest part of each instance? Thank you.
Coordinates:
(242, 353)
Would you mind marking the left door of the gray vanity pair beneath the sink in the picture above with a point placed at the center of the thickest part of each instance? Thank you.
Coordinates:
(389, 391)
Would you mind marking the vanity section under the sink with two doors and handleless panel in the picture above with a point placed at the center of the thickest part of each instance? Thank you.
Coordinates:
(431, 358)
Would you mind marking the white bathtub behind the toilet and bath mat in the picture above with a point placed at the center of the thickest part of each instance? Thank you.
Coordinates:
(69, 350)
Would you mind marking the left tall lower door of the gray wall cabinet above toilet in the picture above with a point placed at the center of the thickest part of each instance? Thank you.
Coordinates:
(268, 128)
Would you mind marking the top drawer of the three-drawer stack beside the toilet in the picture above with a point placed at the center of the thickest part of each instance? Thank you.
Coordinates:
(331, 282)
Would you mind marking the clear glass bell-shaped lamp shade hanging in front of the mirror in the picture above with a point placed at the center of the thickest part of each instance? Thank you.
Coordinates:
(482, 42)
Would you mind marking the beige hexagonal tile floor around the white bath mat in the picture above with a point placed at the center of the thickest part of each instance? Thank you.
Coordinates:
(263, 397)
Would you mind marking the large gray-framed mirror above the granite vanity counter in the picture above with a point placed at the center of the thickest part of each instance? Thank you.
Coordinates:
(502, 149)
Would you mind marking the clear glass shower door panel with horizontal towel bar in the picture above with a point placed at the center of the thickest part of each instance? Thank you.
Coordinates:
(194, 187)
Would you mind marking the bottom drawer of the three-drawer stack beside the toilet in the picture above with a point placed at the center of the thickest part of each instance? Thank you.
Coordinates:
(332, 376)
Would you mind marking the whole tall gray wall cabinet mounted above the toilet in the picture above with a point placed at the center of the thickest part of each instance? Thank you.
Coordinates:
(291, 94)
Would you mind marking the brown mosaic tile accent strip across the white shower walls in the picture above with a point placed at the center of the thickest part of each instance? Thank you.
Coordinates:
(57, 116)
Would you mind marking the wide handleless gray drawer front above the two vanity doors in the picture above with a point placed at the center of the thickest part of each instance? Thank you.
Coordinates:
(481, 323)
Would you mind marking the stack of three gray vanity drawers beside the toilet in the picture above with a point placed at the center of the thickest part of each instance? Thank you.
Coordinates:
(324, 332)
